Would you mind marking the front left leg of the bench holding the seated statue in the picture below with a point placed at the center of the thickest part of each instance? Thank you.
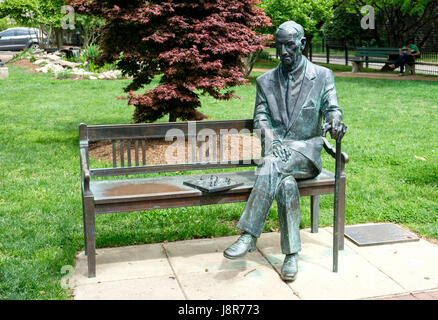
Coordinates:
(90, 235)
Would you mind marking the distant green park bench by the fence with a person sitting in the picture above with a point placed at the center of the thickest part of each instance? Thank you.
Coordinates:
(376, 55)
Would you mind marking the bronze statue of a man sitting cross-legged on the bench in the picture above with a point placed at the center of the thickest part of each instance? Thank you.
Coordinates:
(291, 102)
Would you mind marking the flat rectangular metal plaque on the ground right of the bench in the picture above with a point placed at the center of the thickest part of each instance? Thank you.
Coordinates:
(376, 234)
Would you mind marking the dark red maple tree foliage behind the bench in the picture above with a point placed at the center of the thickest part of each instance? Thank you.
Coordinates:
(196, 46)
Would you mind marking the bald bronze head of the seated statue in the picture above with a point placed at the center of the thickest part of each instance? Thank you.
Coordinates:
(290, 43)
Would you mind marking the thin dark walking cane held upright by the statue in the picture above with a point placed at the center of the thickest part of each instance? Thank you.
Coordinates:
(327, 127)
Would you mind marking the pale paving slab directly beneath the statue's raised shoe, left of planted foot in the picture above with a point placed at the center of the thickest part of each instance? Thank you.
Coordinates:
(205, 274)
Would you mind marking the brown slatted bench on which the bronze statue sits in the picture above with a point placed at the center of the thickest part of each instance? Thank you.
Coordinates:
(100, 196)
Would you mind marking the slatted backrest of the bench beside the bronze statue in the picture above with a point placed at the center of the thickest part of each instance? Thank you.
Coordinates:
(204, 143)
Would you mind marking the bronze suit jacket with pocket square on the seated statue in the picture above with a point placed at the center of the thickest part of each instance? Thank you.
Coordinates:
(301, 131)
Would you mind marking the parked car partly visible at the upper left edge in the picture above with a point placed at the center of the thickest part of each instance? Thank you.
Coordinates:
(16, 39)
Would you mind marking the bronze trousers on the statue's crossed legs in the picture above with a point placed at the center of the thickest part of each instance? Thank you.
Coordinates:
(276, 179)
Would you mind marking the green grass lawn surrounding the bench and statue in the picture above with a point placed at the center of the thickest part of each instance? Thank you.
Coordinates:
(392, 126)
